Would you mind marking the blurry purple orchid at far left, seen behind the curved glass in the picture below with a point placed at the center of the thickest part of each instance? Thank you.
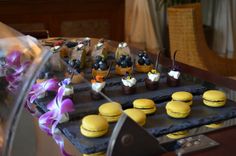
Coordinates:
(13, 62)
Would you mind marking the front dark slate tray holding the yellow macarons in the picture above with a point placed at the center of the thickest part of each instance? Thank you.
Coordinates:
(157, 124)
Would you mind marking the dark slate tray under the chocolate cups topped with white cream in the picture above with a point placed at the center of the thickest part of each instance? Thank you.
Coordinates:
(85, 105)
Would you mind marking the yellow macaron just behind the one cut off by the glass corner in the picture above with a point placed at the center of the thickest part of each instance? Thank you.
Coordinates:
(146, 105)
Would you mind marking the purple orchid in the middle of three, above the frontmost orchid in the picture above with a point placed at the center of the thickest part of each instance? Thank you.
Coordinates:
(38, 90)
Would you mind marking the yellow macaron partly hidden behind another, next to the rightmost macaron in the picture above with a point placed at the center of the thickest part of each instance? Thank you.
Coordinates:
(183, 97)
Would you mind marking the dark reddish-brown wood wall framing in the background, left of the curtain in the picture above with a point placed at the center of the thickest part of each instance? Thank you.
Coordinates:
(52, 13)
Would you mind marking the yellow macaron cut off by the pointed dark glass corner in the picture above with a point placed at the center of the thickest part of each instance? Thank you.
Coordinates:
(137, 115)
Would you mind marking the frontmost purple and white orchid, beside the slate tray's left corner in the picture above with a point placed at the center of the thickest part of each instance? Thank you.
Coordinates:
(48, 122)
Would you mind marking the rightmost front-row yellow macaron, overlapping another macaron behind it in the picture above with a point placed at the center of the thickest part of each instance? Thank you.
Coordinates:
(177, 109)
